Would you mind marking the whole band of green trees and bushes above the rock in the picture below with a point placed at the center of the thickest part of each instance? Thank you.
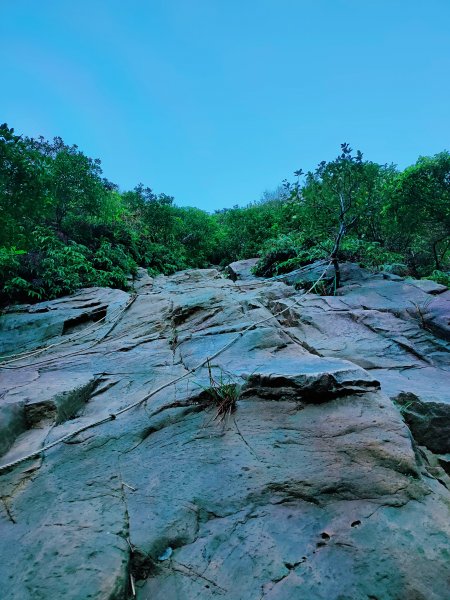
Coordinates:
(64, 226)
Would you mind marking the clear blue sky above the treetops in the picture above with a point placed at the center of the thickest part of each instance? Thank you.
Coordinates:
(215, 101)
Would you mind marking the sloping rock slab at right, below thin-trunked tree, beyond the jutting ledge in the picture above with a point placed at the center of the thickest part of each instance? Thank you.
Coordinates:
(398, 330)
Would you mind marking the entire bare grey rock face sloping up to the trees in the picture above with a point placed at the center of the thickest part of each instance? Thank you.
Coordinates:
(292, 475)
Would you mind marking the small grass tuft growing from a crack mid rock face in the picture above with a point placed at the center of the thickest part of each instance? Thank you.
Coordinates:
(222, 393)
